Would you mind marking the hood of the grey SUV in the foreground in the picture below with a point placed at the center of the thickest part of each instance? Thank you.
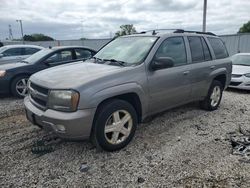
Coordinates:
(73, 75)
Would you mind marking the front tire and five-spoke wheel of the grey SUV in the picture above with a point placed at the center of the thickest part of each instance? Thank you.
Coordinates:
(115, 125)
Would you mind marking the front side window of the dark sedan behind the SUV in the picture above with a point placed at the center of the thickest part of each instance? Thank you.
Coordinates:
(62, 56)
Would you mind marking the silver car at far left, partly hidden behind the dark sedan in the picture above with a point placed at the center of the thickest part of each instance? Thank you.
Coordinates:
(15, 53)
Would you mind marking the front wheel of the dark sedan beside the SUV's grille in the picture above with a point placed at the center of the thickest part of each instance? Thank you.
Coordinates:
(19, 86)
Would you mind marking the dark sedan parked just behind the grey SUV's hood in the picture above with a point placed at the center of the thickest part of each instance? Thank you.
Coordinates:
(14, 76)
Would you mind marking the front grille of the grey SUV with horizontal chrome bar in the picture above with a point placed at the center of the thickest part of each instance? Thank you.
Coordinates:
(38, 96)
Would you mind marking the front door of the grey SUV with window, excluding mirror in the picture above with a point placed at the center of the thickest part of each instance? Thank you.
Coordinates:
(170, 87)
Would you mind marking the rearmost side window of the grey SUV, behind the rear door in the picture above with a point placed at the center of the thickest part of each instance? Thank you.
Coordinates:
(219, 48)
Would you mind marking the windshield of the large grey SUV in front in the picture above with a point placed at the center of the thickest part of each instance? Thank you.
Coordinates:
(131, 50)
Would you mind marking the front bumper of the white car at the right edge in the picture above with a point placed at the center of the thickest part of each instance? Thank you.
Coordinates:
(242, 82)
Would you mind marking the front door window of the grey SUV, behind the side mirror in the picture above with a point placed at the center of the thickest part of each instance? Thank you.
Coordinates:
(174, 48)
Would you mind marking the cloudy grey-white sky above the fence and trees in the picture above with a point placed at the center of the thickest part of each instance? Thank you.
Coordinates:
(73, 19)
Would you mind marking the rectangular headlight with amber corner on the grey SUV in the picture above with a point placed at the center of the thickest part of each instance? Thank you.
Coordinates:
(63, 100)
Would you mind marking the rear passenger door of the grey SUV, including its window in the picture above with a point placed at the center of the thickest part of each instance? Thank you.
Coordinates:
(202, 61)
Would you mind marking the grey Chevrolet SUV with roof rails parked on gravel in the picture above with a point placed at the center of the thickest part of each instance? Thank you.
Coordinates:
(129, 79)
